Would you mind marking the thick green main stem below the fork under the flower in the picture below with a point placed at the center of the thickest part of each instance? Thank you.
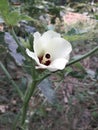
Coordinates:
(27, 97)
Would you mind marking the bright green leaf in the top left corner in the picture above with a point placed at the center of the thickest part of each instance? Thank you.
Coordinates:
(11, 18)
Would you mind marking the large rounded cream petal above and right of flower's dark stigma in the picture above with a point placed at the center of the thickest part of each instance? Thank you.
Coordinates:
(58, 48)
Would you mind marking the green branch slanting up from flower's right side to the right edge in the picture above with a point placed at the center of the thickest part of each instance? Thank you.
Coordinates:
(83, 56)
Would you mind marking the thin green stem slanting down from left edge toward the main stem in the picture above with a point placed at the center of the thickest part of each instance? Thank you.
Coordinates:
(11, 80)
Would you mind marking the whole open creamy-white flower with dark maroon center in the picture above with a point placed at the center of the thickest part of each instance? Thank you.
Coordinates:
(50, 51)
